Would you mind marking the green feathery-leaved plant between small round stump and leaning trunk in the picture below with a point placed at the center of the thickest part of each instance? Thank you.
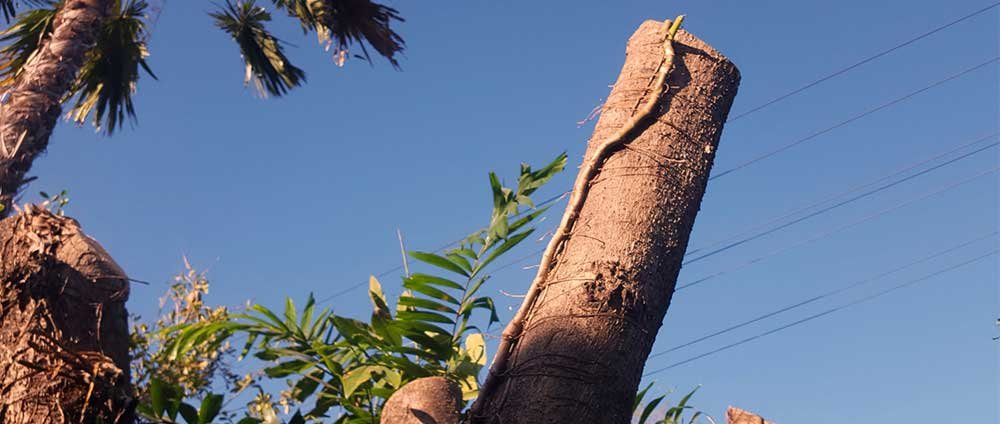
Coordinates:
(346, 368)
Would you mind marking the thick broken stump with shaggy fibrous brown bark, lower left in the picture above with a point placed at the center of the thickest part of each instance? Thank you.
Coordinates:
(63, 325)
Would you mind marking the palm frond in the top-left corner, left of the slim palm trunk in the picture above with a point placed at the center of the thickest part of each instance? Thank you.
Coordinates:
(22, 39)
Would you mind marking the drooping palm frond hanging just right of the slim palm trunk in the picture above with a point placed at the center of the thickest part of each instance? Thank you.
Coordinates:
(108, 78)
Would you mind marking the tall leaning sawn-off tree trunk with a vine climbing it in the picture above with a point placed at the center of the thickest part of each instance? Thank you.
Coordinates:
(586, 338)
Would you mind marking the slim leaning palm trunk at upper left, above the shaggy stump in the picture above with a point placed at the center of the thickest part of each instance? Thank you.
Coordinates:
(33, 104)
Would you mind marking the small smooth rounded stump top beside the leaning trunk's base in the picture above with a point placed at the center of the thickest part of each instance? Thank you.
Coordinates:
(430, 400)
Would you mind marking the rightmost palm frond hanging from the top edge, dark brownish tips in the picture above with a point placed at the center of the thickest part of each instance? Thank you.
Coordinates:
(341, 23)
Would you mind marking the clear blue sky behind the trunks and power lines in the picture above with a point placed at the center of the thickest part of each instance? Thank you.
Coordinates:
(283, 197)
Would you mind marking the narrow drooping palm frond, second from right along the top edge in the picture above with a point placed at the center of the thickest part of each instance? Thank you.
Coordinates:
(266, 63)
